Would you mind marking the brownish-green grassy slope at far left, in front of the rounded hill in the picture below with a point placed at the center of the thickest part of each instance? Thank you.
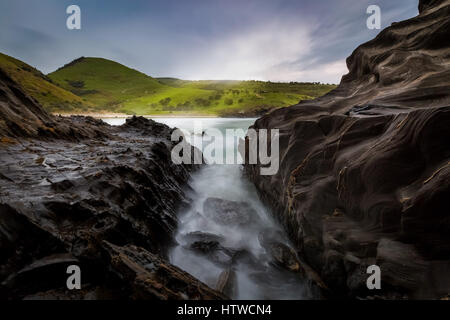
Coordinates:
(40, 87)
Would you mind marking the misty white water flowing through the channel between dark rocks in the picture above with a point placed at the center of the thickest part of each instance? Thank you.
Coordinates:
(255, 276)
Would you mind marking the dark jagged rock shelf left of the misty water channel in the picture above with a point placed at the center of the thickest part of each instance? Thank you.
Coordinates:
(75, 191)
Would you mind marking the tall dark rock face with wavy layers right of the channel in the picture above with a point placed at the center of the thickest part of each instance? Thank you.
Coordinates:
(365, 170)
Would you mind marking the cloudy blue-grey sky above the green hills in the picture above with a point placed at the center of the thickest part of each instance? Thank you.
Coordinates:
(276, 40)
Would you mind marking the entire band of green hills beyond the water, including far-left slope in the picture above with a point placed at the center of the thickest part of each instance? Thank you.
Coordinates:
(96, 84)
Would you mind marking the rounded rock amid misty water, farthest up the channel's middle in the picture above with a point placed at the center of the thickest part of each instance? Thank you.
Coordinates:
(230, 213)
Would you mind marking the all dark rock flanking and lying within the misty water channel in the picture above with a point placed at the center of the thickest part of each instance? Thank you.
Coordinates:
(364, 179)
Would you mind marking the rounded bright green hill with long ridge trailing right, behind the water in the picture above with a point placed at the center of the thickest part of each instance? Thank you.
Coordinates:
(113, 87)
